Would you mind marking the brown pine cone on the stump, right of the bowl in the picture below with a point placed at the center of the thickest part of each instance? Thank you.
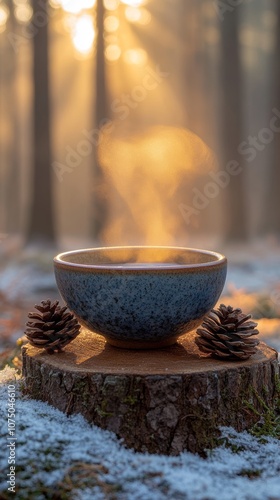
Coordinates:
(226, 333)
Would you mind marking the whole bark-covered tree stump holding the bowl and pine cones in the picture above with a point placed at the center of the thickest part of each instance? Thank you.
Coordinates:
(160, 401)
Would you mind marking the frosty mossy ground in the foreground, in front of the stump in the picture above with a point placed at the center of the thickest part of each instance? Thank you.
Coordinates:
(65, 457)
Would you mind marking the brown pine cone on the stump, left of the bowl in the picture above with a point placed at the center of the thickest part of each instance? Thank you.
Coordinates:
(52, 327)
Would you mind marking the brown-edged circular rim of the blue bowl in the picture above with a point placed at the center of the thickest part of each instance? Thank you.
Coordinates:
(60, 263)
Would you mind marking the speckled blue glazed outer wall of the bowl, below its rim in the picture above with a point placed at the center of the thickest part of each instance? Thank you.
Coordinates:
(146, 308)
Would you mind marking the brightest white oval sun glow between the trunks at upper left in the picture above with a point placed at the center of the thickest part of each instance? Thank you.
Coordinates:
(83, 34)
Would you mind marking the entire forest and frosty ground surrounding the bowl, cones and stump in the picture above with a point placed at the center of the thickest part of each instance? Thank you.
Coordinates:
(188, 155)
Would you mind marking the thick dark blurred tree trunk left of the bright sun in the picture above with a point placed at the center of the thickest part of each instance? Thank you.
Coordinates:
(41, 217)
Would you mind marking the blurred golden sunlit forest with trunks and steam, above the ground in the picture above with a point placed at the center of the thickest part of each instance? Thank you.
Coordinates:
(66, 65)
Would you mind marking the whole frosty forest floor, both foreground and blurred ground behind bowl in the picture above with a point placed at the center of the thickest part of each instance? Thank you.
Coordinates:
(61, 457)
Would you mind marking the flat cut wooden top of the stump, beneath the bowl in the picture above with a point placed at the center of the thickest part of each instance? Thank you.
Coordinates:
(90, 353)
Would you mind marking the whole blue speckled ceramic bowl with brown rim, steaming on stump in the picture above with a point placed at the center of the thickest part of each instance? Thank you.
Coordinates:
(140, 297)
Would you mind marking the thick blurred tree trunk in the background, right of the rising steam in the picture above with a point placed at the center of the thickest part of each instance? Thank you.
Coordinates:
(231, 126)
